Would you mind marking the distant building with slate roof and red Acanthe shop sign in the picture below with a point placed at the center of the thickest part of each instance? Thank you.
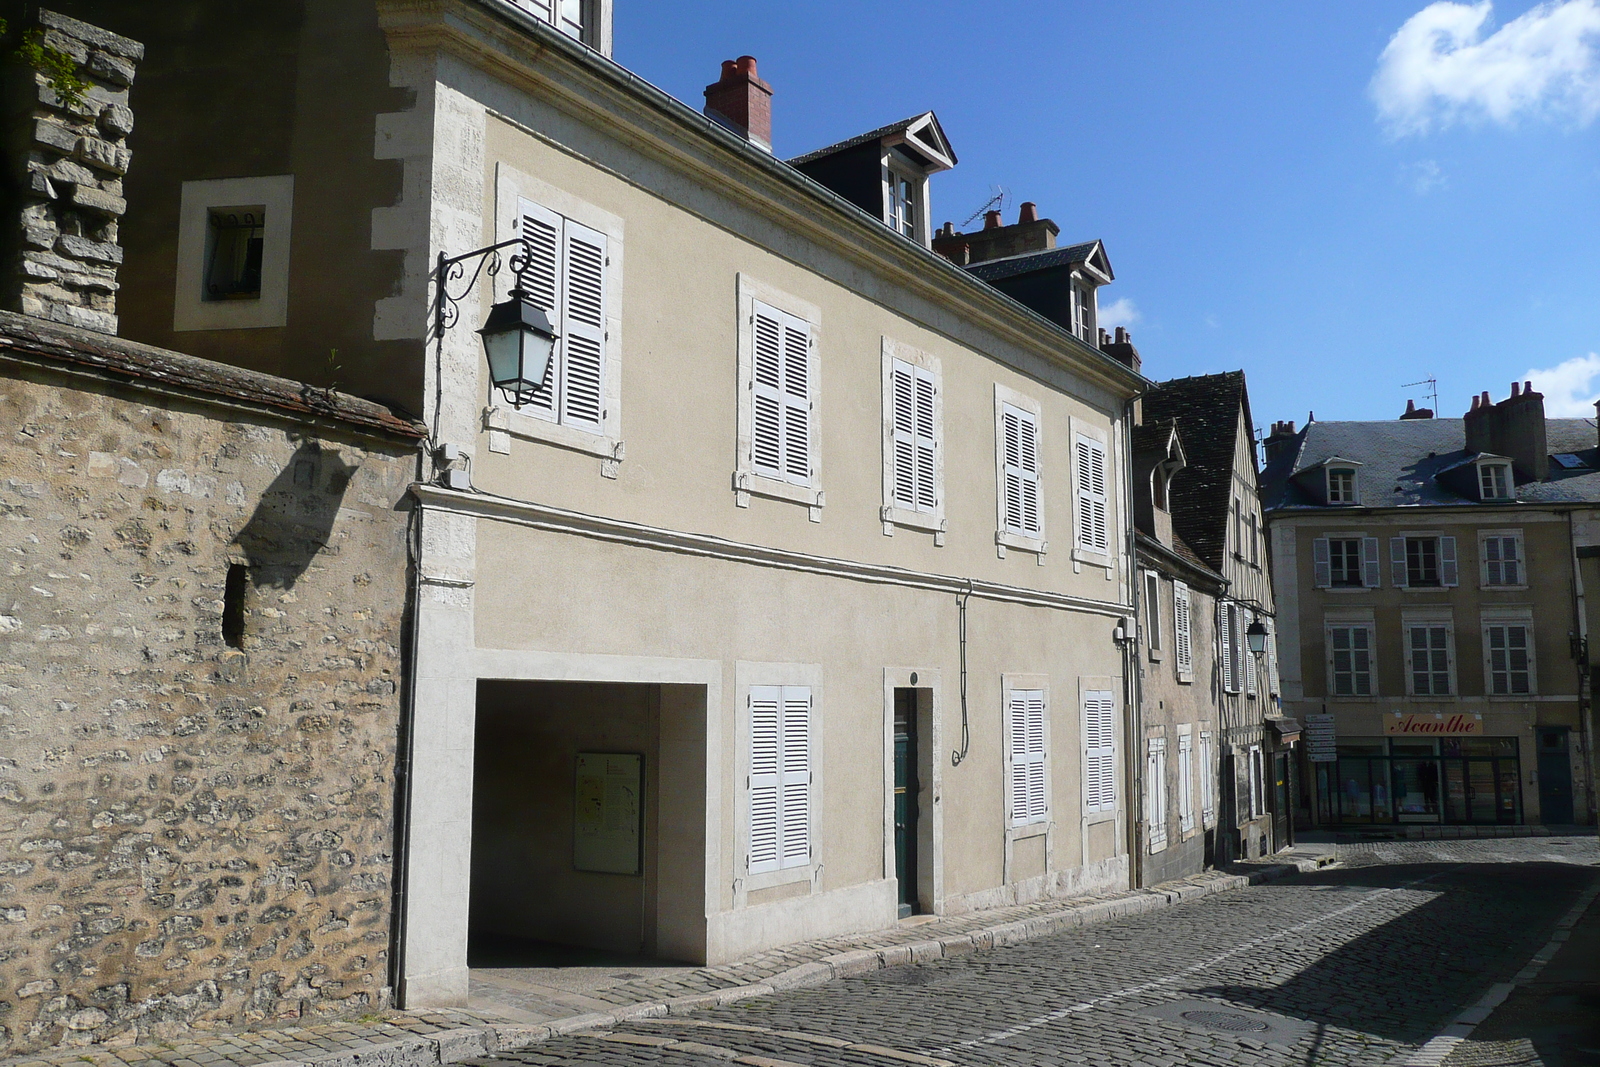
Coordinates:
(1434, 618)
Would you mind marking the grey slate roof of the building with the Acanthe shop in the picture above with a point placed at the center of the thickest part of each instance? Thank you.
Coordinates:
(1402, 458)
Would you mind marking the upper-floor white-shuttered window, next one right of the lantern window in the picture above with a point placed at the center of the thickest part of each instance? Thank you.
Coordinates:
(778, 449)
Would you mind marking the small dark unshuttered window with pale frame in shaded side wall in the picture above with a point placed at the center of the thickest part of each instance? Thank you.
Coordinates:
(234, 254)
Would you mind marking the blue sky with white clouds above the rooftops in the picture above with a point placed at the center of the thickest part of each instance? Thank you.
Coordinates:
(1276, 190)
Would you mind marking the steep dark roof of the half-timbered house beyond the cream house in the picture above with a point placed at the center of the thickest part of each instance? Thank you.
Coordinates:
(1207, 410)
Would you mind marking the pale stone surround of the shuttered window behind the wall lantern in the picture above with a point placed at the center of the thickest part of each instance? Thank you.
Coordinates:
(503, 423)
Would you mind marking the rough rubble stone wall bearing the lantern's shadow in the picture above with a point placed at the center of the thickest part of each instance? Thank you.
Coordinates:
(191, 836)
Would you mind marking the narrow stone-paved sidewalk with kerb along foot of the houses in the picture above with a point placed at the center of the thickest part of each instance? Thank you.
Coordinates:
(500, 1021)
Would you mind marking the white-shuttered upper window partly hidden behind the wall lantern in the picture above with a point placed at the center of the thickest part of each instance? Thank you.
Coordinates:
(572, 270)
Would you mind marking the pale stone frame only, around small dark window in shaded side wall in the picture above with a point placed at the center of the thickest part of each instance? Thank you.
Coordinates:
(191, 311)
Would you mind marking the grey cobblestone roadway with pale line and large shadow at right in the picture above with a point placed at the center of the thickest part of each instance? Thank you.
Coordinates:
(1361, 964)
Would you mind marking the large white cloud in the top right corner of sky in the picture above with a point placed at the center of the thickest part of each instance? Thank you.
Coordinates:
(1441, 68)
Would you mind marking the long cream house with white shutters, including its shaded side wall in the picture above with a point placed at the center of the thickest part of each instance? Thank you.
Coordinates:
(790, 602)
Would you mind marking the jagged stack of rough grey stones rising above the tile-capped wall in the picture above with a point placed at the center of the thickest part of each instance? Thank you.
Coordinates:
(68, 161)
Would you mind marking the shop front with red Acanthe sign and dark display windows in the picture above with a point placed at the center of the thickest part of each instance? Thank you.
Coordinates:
(1426, 769)
